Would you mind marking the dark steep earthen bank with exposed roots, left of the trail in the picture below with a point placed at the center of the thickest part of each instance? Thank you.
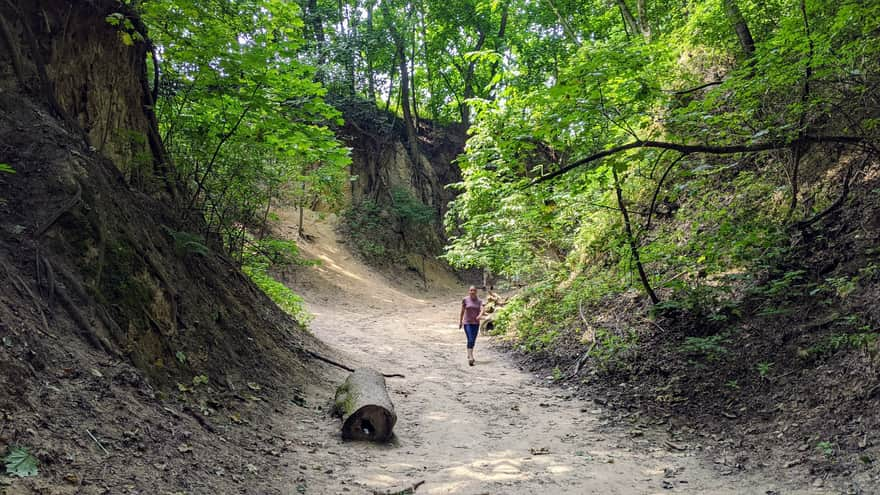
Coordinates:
(120, 343)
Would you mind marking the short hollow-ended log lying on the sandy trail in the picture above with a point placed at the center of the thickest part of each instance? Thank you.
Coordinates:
(365, 407)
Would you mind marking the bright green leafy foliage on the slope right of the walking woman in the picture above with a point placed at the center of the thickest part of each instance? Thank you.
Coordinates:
(681, 148)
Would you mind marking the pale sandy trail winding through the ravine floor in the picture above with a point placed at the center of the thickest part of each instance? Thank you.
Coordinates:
(487, 429)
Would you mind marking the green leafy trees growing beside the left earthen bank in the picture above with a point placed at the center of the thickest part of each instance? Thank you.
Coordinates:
(246, 126)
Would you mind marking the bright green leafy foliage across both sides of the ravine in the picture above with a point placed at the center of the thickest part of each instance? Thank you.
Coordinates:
(678, 147)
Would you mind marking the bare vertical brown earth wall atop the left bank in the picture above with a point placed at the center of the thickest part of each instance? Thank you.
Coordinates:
(66, 54)
